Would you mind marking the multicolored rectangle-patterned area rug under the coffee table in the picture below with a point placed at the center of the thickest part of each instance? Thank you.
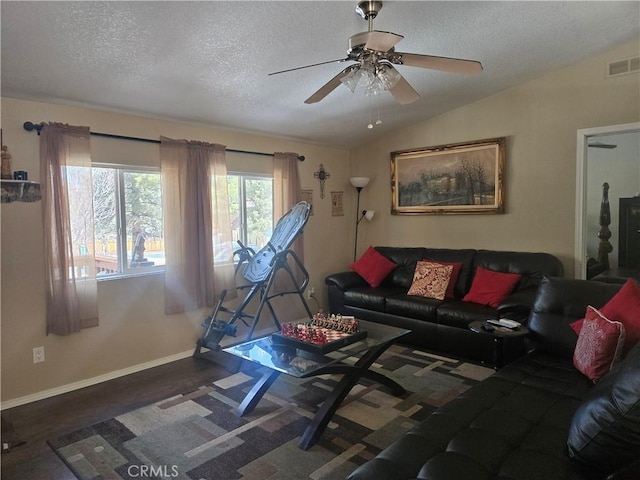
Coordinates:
(197, 436)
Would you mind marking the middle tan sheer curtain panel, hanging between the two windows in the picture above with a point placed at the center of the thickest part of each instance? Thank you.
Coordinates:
(198, 242)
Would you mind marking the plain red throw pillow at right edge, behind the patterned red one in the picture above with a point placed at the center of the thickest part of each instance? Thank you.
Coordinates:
(623, 307)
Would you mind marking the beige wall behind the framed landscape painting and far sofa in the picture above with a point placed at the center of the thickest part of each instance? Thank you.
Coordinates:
(540, 120)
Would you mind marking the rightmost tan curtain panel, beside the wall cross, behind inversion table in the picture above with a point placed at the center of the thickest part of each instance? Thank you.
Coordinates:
(287, 191)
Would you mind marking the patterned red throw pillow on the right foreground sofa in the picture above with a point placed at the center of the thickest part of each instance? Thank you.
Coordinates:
(599, 345)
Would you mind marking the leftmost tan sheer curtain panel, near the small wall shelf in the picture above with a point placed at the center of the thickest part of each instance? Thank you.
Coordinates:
(67, 217)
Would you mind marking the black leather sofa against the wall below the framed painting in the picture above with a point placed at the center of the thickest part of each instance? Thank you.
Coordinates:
(442, 325)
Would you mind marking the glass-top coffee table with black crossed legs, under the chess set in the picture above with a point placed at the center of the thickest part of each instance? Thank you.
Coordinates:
(300, 363)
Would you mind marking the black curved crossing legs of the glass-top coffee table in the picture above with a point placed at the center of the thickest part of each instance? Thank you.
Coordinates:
(352, 374)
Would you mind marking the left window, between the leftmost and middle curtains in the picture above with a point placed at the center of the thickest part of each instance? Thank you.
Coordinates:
(128, 224)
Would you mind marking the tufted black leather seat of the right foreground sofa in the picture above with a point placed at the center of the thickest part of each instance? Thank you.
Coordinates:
(513, 425)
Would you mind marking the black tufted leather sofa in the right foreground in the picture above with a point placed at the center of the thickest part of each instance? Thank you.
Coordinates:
(516, 423)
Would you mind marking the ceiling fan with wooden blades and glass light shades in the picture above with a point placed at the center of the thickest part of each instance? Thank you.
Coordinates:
(374, 55)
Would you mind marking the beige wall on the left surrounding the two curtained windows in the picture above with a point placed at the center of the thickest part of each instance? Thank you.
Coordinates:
(134, 330)
